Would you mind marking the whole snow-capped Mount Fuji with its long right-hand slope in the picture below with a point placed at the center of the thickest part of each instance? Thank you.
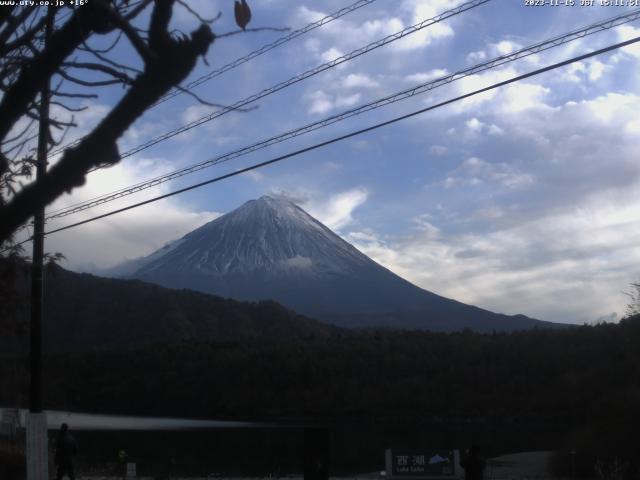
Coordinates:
(270, 248)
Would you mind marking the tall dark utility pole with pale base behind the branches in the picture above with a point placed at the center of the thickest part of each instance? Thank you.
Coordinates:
(37, 440)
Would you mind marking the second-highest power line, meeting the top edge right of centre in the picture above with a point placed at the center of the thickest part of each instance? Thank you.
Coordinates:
(303, 76)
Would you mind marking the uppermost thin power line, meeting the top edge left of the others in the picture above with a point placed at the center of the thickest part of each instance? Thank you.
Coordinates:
(250, 56)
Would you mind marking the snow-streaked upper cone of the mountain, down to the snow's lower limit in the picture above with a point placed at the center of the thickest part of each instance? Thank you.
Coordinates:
(271, 233)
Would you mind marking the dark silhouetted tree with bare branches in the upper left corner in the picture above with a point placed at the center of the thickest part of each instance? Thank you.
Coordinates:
(67, 57)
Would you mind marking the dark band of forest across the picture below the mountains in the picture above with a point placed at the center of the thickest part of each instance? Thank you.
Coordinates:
(580, 385)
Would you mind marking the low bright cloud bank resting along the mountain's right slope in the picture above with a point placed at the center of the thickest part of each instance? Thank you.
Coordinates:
(567, 268)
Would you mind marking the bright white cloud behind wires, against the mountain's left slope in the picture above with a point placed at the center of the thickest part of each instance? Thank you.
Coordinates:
(131, 234)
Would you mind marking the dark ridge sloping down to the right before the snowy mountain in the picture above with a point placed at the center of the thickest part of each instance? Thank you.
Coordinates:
(85, 312)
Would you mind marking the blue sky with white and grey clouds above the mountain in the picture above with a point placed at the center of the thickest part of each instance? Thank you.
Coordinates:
(522, 200)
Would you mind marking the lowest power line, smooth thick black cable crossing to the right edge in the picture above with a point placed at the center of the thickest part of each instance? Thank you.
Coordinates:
(355, 133)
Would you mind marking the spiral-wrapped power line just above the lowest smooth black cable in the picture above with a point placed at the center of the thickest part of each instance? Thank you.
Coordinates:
(402, 95)
